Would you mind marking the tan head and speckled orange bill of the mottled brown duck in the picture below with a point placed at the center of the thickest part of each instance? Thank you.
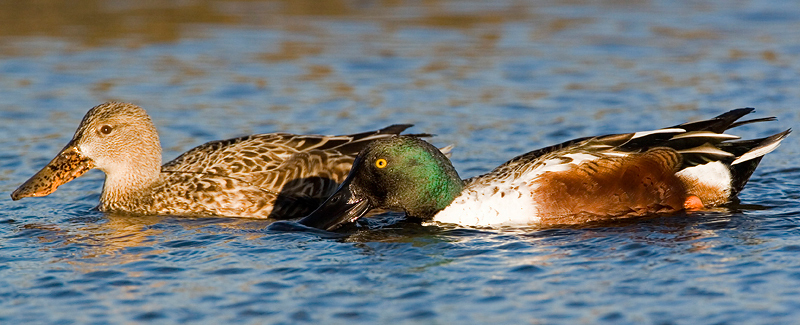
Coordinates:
(117, 138)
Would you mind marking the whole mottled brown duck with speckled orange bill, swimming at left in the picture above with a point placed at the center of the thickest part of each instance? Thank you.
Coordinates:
(274, 175)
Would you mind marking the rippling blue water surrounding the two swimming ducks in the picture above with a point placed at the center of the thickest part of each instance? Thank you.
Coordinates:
(496, 79)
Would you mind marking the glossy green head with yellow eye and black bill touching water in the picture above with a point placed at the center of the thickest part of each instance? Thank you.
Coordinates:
(401, 173)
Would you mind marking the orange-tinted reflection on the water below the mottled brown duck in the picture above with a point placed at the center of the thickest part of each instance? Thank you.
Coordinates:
(118, 238)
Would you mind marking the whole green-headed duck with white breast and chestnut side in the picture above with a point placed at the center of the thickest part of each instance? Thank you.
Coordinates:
(688, 166)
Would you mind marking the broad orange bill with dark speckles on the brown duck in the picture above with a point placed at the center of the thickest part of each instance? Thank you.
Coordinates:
(68, 165)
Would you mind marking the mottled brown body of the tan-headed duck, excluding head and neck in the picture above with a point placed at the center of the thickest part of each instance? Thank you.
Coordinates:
(276, 175)
